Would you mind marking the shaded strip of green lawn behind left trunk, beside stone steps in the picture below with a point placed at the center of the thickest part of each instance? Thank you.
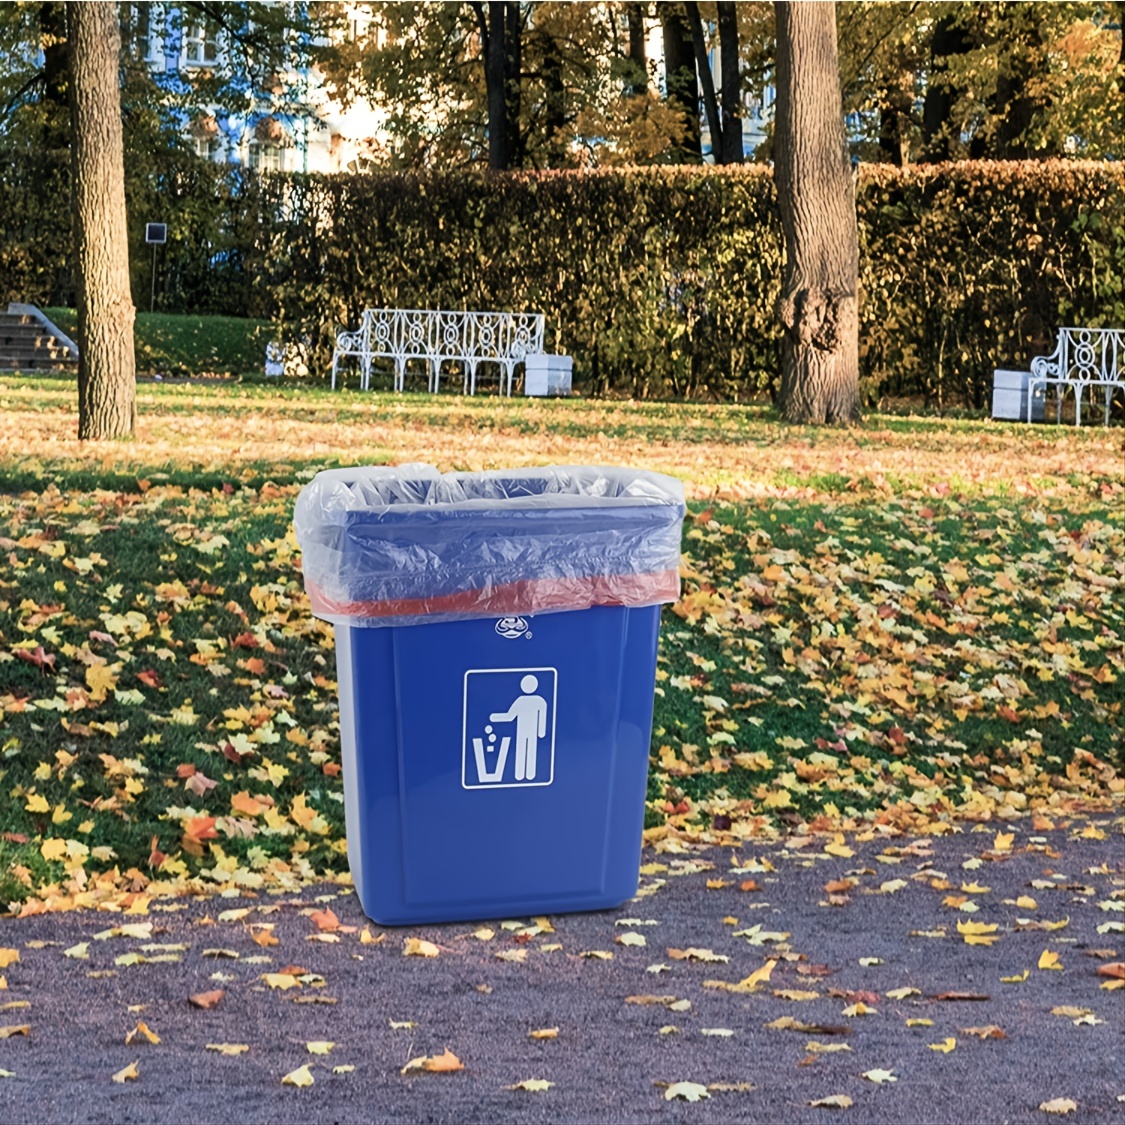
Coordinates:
(170, 344)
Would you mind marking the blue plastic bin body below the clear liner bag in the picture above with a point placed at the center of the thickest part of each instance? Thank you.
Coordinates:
(497, 768)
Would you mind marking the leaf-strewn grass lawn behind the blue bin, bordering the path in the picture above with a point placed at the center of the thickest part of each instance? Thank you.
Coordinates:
(898, 627)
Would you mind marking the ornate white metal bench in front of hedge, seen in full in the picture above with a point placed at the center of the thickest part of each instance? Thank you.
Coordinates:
(437, 337)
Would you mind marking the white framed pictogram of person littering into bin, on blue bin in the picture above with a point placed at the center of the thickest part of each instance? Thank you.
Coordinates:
(509, 728)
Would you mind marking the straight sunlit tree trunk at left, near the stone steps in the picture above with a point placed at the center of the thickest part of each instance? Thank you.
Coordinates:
(106, 372)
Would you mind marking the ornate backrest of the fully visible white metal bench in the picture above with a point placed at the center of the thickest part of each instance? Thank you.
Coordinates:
(430, 332)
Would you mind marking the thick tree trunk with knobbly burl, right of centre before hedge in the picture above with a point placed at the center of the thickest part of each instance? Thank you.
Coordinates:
(818, 308)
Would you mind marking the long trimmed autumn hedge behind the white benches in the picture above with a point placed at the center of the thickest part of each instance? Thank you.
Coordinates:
(660, 282)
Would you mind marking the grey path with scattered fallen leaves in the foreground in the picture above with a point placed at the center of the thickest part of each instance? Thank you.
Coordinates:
(611, 1060)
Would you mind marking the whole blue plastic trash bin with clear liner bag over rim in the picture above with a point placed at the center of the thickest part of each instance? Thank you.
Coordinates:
(497, 640)
